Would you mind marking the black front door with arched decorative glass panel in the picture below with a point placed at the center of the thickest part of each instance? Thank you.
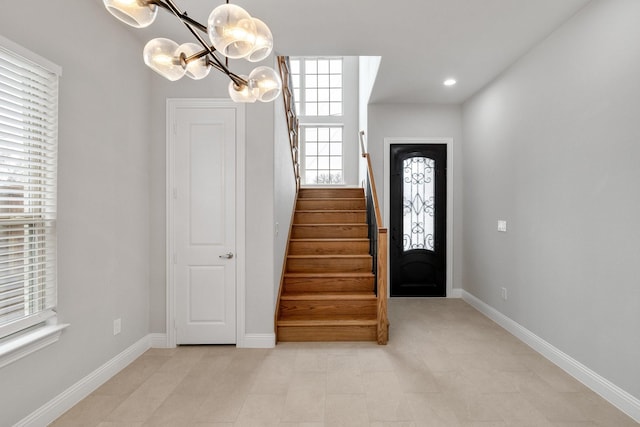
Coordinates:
(417, 218)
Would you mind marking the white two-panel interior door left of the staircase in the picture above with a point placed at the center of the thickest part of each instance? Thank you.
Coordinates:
(203, 223)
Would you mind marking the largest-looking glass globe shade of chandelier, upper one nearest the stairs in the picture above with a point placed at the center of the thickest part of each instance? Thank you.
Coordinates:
(232, 31)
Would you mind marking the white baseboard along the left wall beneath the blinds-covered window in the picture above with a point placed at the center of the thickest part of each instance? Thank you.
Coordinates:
(57, 406)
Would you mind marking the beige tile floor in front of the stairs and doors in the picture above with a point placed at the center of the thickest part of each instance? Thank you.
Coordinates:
(445, 365)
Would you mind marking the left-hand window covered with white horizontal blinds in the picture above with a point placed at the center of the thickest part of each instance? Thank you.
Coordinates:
(28, 169)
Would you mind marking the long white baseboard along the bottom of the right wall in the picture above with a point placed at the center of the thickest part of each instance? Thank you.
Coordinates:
(619, 398)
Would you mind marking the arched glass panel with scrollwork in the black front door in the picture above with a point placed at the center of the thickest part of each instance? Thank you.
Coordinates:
(418, 203)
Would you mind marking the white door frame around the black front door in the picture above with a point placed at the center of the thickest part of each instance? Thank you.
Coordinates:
(406, 141)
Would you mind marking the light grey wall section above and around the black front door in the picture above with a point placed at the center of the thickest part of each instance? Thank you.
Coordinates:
(419, 120)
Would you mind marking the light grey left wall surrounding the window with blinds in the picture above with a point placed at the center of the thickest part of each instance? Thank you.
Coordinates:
(103, 235)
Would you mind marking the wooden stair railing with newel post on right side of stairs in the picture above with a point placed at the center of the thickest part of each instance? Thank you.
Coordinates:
(378, 247)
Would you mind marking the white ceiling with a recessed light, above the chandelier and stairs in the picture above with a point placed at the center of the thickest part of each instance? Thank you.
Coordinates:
(421, 42)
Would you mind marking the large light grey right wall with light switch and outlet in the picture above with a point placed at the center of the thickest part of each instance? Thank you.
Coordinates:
(552, 146)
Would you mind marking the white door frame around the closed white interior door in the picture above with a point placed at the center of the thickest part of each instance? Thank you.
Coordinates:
(174, 104)
